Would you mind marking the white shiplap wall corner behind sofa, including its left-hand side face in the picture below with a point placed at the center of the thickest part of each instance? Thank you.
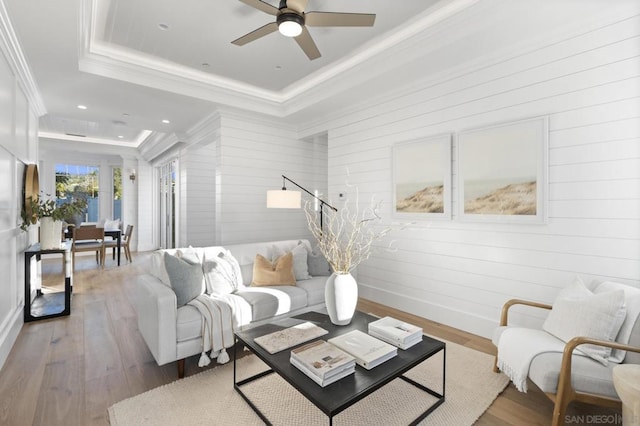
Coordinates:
(229, 171)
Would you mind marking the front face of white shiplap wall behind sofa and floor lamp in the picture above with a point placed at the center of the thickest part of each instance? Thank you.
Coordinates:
(251, 156)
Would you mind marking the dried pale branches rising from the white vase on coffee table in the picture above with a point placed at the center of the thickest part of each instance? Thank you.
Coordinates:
(348, 236)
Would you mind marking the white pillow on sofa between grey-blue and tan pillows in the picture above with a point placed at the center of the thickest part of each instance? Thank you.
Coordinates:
(222, 274)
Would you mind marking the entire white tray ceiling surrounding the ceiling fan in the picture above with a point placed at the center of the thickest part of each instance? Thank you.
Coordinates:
(112, 56)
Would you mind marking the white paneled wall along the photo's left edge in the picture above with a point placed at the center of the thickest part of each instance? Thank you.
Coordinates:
(19, 110)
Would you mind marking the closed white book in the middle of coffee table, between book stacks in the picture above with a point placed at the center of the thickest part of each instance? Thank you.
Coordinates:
(368, 351)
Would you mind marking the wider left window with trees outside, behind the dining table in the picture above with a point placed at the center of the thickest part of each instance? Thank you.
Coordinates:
(78, 181)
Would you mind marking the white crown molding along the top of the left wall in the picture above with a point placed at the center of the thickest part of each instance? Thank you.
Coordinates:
(18, 63)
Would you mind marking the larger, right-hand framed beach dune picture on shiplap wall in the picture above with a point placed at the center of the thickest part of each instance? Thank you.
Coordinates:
(502, 172)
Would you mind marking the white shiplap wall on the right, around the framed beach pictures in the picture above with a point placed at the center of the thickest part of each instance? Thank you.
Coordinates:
(461, 273)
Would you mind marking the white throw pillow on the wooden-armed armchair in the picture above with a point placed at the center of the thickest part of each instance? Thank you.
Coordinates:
(579, 312)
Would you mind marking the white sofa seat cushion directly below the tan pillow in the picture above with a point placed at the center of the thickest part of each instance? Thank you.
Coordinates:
(269, 301)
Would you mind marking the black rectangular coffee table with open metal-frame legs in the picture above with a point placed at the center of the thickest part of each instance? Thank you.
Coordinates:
(340, 395)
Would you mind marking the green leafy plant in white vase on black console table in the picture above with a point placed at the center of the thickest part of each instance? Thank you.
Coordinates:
(50, 215)
